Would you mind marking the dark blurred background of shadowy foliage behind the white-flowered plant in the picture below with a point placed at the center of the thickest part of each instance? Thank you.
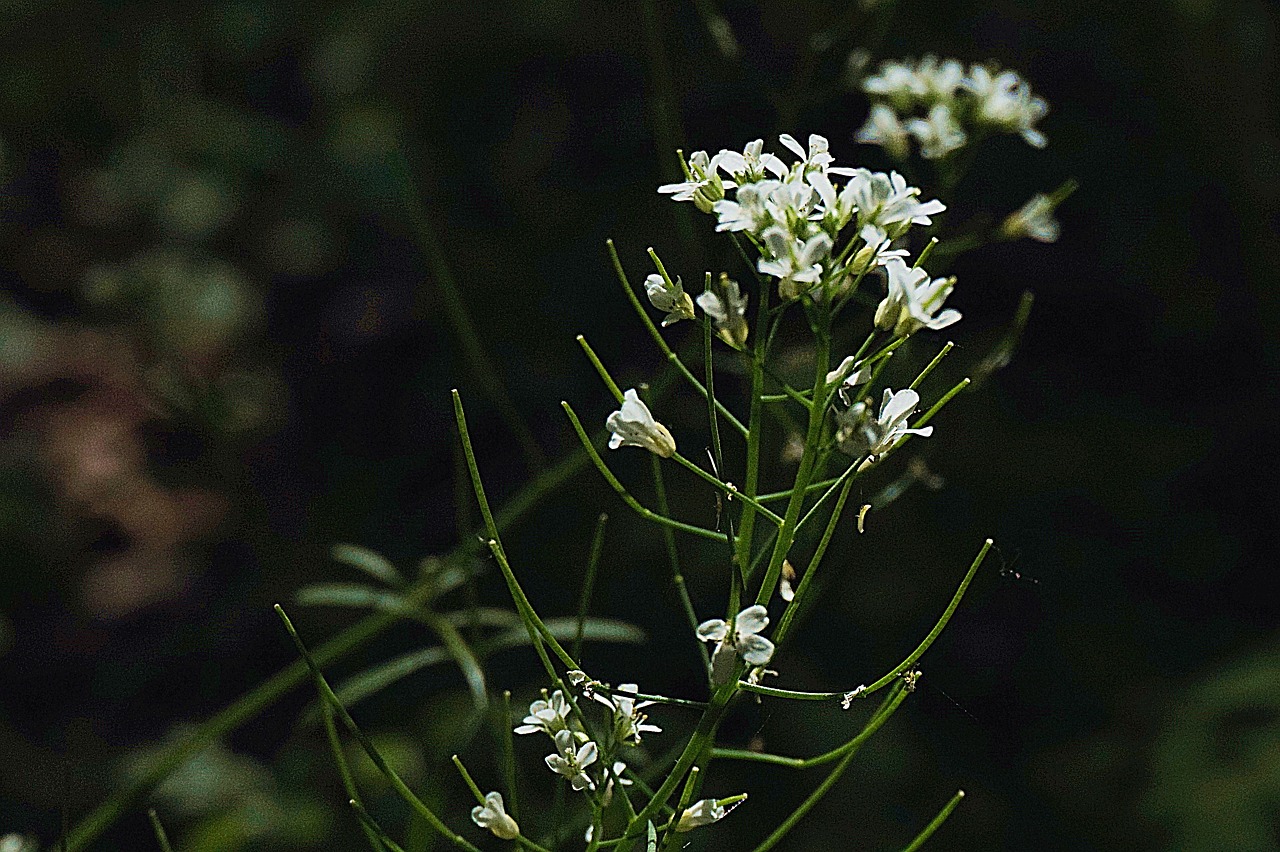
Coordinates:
(226, 347)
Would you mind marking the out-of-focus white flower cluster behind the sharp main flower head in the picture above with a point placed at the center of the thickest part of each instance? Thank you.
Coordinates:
(941, 106)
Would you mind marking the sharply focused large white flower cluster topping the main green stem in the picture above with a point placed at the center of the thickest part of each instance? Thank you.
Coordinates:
(798, 217)
